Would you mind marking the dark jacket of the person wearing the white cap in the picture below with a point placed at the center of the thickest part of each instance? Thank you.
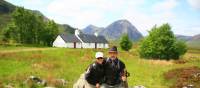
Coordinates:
(95, 74)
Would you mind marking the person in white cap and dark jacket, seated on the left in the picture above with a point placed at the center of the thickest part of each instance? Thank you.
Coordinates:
(95, 73)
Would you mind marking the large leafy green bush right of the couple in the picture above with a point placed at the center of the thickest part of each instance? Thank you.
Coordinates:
(161, 44)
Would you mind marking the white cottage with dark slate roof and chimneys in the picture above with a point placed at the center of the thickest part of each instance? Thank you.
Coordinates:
(80, 40)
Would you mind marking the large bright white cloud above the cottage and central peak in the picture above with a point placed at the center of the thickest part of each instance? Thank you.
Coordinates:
(80, 13)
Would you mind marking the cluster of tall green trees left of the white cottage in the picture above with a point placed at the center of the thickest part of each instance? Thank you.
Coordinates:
(27, 27)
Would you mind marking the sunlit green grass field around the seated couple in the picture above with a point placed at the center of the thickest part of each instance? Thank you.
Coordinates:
(53, 63)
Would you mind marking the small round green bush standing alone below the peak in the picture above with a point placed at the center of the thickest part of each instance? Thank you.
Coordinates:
(125, 43)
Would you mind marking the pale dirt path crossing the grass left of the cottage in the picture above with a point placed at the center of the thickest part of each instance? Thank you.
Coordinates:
(25, 50)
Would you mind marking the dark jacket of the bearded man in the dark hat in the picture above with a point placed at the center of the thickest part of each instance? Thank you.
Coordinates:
(113, 71)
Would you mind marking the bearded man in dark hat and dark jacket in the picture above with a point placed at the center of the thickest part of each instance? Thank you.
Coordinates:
(114, 70)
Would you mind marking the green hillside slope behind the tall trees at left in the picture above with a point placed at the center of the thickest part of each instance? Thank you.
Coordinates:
(7, 8)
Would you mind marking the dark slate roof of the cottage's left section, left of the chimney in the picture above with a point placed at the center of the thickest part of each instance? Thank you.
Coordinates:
(69, 38)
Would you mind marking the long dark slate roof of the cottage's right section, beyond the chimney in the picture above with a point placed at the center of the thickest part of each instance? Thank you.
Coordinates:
(87, 38)
